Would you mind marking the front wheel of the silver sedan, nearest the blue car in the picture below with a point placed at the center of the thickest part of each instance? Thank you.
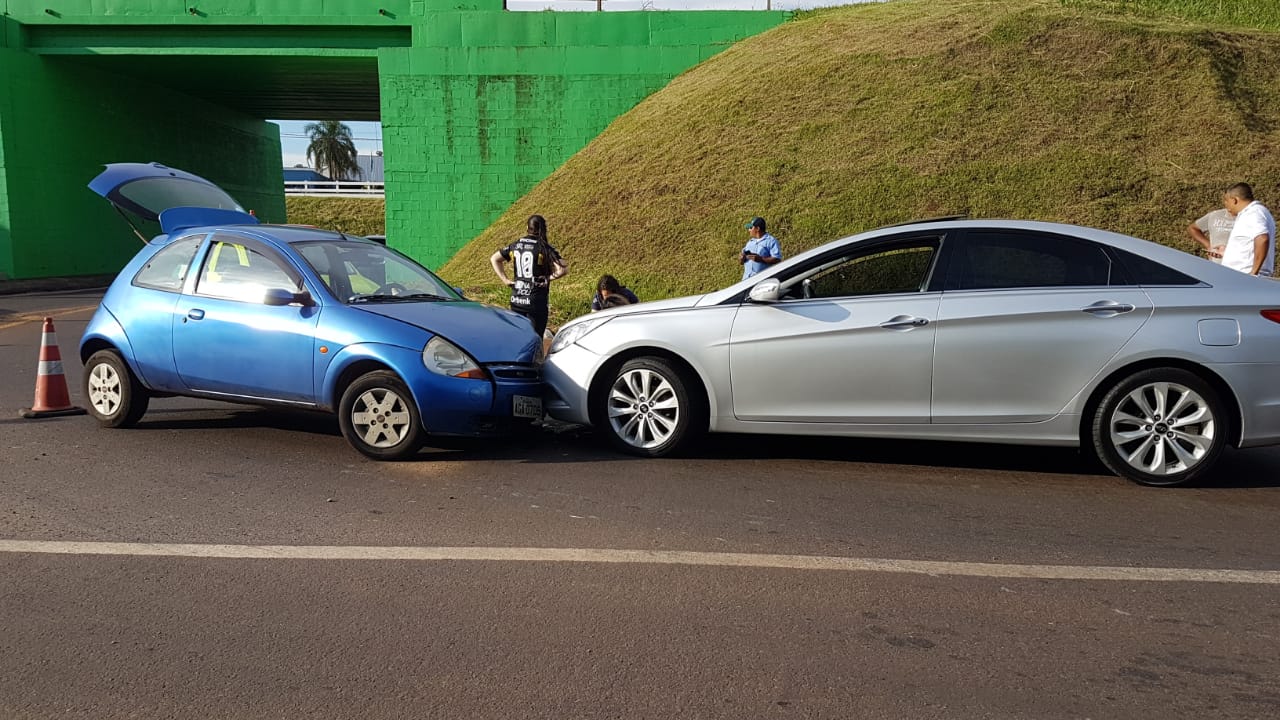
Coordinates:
(648, 411)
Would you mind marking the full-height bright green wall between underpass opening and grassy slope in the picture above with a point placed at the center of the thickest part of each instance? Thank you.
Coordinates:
(504, 99)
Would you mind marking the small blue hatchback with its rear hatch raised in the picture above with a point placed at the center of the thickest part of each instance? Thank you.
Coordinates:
(223, 308)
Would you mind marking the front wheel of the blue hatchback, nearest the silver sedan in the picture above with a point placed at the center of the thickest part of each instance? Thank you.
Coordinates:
(380, 418)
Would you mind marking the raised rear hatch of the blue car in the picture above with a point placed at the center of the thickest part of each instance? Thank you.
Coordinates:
(148, 190)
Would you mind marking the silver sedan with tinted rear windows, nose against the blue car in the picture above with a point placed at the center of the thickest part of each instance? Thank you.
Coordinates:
(986, 331)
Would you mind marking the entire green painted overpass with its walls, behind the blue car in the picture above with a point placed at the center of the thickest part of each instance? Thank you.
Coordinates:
(477, 104)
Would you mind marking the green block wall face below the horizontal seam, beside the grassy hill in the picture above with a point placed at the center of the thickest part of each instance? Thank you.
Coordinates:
(463, 148)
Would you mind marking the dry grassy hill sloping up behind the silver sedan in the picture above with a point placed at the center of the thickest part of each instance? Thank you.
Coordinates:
(1117, 115)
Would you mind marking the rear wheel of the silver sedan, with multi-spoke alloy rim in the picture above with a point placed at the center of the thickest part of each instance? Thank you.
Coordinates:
(1135, 438)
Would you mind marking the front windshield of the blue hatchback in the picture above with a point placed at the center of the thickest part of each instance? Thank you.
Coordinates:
(359, 271)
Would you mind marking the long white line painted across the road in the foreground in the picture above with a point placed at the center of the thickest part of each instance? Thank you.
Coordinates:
(651, 558)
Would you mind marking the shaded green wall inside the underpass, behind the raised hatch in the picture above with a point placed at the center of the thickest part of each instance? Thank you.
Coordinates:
(61, 124)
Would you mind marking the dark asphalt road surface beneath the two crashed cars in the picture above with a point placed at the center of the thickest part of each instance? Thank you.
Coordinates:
(227, 562)
